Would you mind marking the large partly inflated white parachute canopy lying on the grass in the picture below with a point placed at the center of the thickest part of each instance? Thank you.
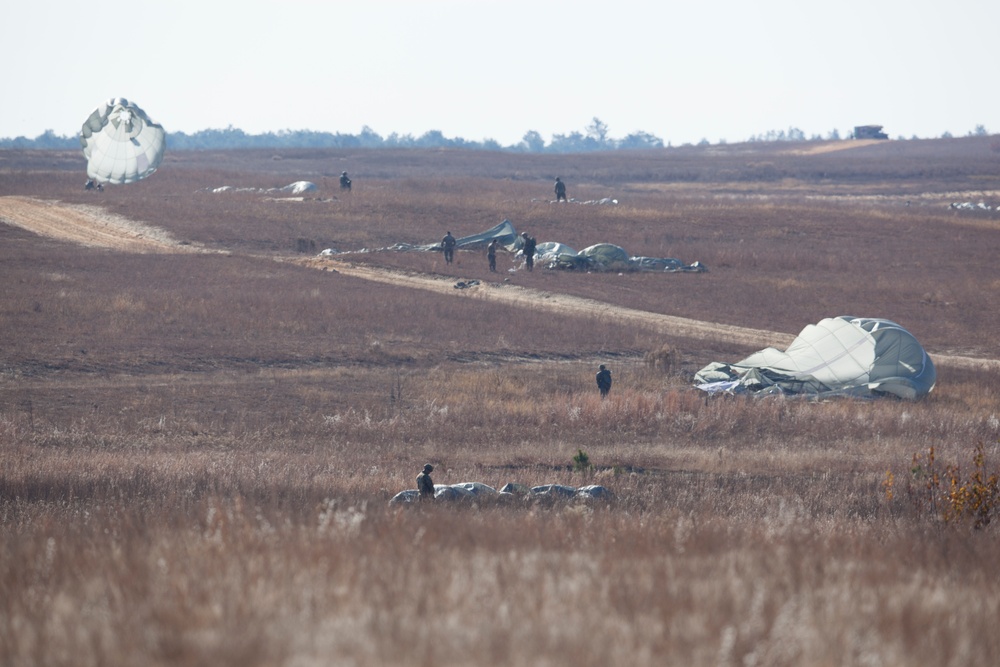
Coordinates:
(852, 356)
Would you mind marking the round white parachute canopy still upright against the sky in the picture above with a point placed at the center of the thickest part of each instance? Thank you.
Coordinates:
(121, 143)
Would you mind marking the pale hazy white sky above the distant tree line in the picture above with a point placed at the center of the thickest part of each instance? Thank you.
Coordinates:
(479, 69)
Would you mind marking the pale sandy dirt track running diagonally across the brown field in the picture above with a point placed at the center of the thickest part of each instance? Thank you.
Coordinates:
(94, 227)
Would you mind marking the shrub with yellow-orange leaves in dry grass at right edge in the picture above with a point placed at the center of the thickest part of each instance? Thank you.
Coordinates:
(974, 498)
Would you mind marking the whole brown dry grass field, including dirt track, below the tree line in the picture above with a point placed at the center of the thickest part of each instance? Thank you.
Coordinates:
(201, 425)
